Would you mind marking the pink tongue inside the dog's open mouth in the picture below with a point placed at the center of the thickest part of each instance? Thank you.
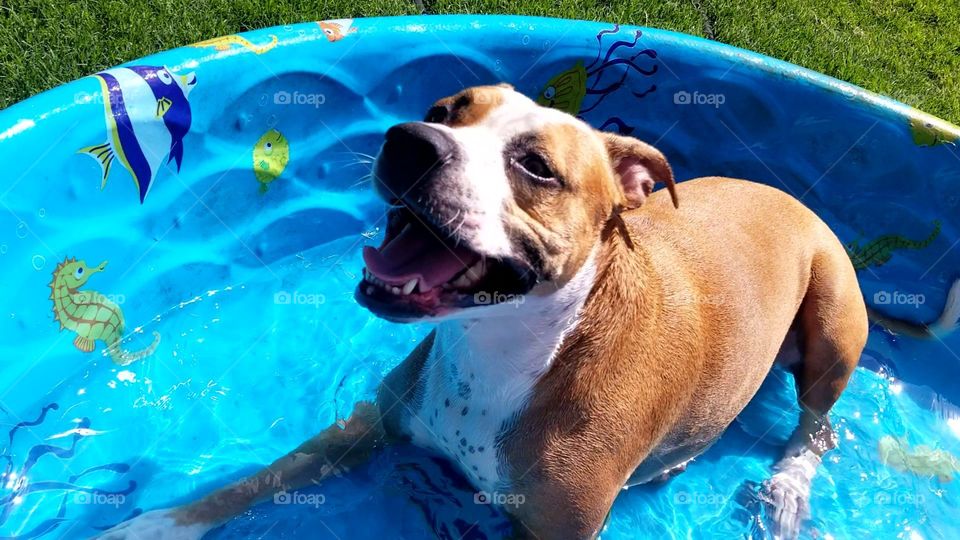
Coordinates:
(417, 253)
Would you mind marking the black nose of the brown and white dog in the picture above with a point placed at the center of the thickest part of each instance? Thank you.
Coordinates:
(410, 153)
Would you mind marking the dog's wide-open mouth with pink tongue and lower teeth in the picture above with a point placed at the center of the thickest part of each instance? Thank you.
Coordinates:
(422, 270)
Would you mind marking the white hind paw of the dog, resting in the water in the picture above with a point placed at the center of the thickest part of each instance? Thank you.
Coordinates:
(786, 495)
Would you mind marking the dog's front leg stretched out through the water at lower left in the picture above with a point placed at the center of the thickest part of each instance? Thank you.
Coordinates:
(333, 451)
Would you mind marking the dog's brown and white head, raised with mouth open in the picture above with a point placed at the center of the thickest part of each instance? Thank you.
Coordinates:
(493, 197)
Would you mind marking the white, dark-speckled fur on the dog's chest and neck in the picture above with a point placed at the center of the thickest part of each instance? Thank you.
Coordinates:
(477, 378)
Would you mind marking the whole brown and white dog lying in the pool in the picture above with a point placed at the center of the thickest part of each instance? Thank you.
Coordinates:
(590, 333)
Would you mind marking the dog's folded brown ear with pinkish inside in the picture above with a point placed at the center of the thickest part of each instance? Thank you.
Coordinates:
(638, 166)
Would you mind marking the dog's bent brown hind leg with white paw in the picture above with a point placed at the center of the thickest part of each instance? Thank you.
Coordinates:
(832, 324)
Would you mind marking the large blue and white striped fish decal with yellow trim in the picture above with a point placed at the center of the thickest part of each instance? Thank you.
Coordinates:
(148, 116)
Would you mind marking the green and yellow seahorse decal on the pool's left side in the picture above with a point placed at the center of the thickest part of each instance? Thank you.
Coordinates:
(90, 314)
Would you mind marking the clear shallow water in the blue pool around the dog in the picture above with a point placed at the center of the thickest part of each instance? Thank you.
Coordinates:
(240, 378)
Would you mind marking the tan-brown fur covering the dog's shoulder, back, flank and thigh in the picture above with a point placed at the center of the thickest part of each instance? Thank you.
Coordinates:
(688, 312)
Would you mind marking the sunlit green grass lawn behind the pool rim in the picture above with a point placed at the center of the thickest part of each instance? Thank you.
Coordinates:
(907, 49)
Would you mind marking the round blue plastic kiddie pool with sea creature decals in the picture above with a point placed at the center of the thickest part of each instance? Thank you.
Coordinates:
(213, 201)
